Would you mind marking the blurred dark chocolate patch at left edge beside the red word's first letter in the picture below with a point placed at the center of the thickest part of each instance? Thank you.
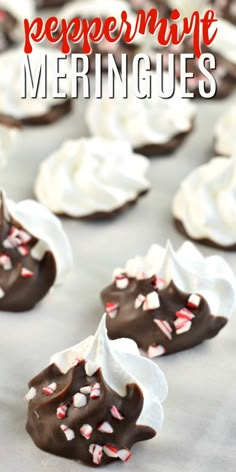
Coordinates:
(7, 25)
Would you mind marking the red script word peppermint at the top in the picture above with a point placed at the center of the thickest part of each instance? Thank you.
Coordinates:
(86, 32)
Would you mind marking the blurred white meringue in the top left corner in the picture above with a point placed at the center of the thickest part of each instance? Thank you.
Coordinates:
(19, 9)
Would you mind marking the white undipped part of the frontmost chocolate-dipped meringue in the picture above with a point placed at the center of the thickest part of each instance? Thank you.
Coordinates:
(121, 364)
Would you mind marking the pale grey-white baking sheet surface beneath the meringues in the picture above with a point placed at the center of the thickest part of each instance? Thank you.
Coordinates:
(199, 431)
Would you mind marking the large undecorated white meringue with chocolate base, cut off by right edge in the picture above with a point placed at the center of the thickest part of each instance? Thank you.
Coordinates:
(204, 206)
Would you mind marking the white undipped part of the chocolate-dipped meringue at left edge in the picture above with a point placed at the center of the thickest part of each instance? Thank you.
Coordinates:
(47, 228)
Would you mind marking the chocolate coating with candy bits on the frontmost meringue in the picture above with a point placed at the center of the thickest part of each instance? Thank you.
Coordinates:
(44, 426)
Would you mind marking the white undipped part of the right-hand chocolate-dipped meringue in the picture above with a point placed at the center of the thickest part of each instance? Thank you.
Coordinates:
(191, 272)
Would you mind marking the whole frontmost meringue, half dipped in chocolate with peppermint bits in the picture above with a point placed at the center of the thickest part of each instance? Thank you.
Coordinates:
(95, 400)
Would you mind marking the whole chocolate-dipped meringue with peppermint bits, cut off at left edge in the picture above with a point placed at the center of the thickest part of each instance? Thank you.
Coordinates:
(35, 253)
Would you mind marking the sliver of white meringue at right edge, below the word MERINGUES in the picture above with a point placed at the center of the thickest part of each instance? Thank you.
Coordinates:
(225, 133)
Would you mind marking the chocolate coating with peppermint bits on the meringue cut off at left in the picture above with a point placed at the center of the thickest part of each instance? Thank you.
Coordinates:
(21, 290)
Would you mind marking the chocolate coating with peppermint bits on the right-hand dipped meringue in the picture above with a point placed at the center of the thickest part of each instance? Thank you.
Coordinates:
(139, 324)
